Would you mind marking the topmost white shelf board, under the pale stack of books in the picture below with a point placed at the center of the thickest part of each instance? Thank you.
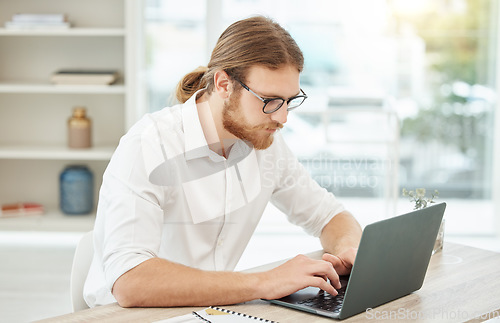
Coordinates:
(93, 32)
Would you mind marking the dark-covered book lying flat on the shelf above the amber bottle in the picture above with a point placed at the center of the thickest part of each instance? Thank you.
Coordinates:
(85, 77)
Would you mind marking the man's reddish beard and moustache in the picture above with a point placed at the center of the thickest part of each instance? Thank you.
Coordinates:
(234, 121)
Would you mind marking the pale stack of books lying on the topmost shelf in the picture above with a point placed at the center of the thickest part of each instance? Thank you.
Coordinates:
(38, 21)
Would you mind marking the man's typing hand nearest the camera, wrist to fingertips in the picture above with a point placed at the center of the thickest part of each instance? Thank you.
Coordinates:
(298, 273)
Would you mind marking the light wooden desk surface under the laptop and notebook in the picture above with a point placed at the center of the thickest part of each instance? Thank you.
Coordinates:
(462, 284)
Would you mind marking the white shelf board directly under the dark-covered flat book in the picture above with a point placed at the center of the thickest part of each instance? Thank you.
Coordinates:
(19, 87)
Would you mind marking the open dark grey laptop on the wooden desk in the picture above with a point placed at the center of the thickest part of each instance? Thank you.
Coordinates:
(391, 262)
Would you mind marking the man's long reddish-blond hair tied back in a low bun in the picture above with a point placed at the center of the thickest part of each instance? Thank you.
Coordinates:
(245, 43)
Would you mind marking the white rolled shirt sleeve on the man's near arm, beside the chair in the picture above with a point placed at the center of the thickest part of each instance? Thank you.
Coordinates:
(129, 211)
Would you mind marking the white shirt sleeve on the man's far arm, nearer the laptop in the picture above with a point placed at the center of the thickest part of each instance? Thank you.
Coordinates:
(296, 194)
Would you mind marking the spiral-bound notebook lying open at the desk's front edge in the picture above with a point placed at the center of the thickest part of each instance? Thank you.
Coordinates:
(215, 315)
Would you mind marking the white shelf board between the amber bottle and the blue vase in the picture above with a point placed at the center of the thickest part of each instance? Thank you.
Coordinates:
(45, 152)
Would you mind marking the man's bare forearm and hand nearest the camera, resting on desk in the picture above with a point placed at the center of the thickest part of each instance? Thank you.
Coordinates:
(161, 283)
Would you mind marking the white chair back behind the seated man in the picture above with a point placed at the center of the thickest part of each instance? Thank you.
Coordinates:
(81, 264)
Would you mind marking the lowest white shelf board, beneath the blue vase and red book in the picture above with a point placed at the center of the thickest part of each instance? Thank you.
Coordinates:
(51, 221)
